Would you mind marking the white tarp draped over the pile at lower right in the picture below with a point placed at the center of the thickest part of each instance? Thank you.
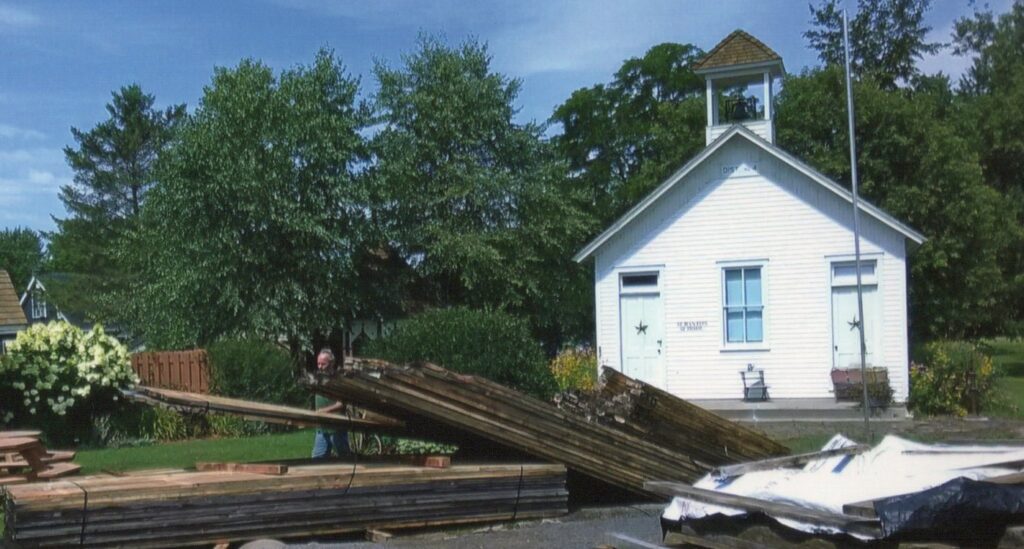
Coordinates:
(895, 467)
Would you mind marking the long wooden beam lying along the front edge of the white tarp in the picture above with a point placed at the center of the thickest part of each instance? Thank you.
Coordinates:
(854, 525)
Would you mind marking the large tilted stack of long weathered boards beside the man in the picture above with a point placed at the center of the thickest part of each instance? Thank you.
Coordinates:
(437, 401)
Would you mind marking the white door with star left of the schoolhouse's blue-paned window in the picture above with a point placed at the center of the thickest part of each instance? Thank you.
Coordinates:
(644, 334)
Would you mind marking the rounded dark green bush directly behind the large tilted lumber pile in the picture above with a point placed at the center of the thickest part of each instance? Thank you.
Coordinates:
(492, 345)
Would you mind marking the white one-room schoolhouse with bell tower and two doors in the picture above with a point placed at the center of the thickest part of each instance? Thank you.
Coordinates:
(744, 260)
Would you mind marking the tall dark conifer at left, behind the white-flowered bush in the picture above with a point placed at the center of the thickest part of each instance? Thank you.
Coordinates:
(113, 165)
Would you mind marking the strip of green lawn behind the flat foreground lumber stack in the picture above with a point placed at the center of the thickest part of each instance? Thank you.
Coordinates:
(187, 453)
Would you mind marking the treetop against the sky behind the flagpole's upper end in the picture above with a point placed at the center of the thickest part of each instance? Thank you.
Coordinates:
(887, 37)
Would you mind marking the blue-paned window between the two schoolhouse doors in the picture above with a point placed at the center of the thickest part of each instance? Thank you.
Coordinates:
(743, 310)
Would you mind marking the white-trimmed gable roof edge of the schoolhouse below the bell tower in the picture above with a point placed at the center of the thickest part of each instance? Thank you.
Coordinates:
(740, 132)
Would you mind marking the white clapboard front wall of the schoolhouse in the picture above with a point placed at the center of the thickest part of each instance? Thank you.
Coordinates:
(745, 204)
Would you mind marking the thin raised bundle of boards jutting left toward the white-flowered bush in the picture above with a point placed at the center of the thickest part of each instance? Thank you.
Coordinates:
(202, 404)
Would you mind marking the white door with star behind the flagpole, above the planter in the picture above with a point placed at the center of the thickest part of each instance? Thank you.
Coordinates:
(846, 337)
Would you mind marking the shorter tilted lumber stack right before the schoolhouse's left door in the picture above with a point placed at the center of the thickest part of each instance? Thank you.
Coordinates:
(636, 408)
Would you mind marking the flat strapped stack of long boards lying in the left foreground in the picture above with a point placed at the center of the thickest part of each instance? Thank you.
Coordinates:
(181, 509)
